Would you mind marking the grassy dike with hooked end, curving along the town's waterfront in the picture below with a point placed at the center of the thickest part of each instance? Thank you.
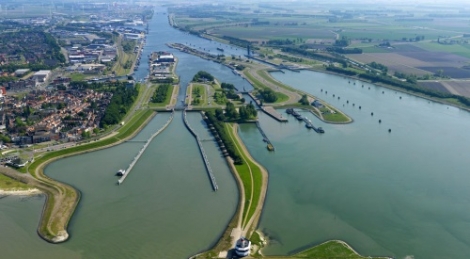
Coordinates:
(62, 199)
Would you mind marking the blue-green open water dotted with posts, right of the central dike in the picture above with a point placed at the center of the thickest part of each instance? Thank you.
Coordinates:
(397, 194)
